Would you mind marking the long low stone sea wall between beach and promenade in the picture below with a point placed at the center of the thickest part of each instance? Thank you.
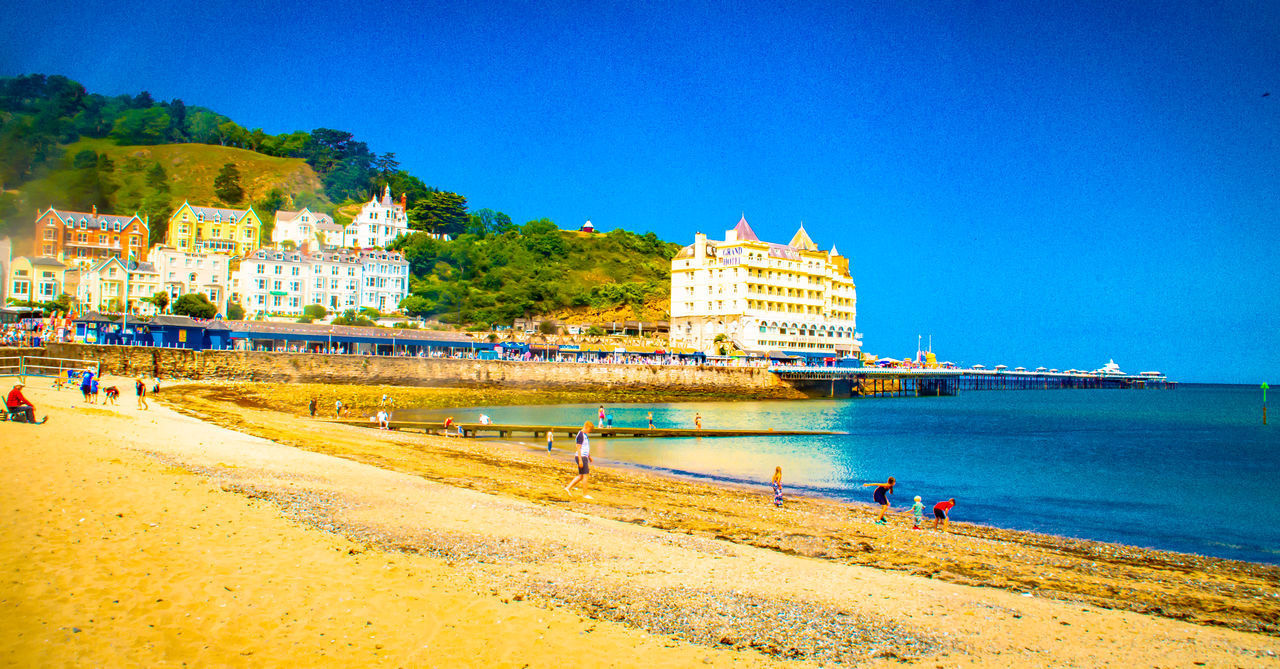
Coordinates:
(323, 369)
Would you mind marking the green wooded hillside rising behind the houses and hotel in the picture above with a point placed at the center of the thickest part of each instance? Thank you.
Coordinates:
(67, 148)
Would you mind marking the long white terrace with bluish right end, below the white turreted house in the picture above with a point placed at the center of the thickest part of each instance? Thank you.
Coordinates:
(285, 282)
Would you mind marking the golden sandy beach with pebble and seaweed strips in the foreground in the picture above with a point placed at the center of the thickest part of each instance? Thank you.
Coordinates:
(217, 529)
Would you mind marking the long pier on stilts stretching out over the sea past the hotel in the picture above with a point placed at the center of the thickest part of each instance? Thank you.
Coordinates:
(871, 382)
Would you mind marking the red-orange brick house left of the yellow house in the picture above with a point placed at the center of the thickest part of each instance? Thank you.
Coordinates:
(85, 239)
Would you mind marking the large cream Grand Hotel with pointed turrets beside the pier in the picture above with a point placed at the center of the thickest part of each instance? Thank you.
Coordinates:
(765, 297)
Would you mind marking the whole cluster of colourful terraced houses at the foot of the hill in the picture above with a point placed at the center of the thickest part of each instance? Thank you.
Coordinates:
(104, 263)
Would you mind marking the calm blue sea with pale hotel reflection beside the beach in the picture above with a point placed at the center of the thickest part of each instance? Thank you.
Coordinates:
(1190, 470)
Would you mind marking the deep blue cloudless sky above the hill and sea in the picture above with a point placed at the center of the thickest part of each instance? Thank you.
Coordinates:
(1040, 185)
